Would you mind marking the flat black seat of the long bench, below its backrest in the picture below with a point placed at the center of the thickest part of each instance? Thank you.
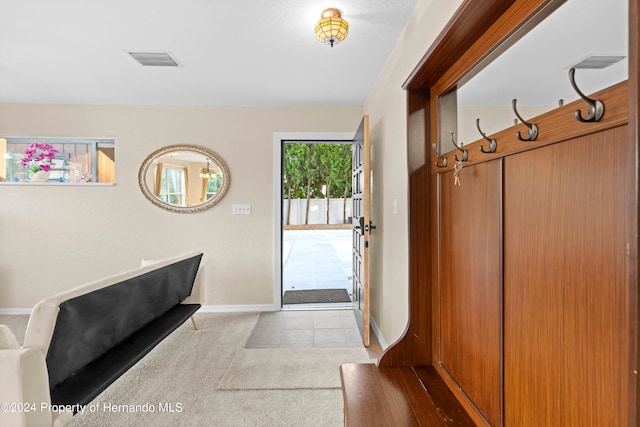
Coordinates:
(84, 385)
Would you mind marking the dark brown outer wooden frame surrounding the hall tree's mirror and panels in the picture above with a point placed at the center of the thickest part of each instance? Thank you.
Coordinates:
(476, 33)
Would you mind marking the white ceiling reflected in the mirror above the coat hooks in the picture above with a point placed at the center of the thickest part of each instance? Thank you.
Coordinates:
(535, 70)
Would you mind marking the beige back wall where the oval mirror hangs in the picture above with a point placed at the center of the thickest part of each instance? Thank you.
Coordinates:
(53, 238)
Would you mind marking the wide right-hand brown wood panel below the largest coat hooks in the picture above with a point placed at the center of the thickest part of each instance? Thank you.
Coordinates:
(566, 294)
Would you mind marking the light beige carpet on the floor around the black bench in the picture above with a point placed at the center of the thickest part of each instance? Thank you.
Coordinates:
(178, 381)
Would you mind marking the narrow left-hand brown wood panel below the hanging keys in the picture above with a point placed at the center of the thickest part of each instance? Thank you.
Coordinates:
(470, 294)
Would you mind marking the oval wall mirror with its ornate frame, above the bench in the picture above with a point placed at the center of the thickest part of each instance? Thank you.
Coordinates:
(184, 178)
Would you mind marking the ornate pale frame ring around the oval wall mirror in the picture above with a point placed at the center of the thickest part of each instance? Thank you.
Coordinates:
(146, 164)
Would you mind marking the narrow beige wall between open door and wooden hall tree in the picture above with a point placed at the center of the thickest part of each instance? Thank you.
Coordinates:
(386, 107)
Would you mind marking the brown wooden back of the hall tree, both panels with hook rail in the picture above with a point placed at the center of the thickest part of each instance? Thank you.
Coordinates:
(533, 301)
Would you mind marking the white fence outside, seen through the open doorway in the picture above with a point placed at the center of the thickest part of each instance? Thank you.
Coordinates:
(317, 211)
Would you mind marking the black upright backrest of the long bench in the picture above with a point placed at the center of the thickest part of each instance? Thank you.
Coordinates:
(90, 325)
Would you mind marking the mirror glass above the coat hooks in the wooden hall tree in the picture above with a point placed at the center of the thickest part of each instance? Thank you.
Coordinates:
(590, 35)
